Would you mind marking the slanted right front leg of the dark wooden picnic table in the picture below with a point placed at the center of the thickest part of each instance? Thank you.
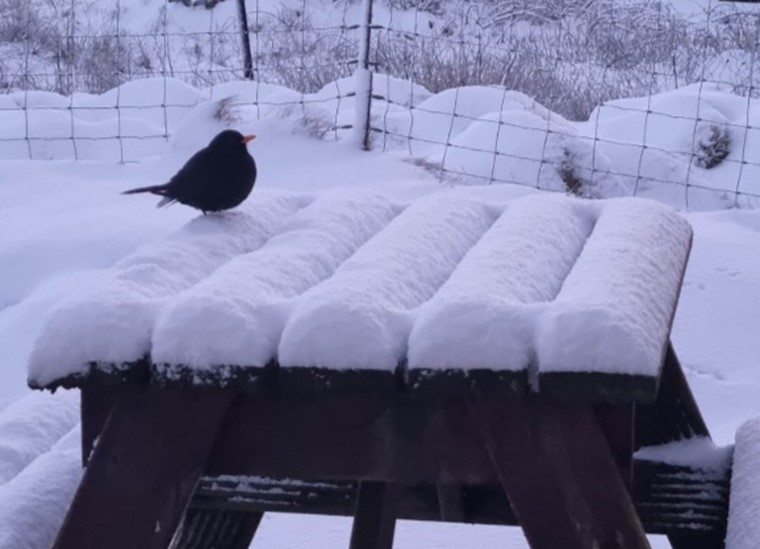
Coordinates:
(559, 475)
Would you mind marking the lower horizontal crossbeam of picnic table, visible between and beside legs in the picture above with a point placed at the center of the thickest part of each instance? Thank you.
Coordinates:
(672, 500)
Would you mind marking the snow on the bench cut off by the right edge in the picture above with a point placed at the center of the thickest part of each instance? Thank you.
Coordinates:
(744, 505)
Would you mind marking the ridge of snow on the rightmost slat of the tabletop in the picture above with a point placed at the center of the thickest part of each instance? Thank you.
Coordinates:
(614, 311)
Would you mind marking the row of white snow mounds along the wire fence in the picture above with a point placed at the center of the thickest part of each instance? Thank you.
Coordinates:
(693, 147)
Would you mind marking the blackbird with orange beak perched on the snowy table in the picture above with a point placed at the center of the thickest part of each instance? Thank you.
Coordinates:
(218, 177)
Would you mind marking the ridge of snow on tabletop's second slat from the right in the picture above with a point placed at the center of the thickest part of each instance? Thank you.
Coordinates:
(483, 316)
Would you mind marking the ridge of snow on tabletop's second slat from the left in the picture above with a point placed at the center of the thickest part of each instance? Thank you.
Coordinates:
(236, 316)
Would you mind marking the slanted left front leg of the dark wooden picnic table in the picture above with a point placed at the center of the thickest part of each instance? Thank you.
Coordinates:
(144, 469)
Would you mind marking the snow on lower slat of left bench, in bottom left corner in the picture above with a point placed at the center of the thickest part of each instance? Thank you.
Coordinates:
(34, 503)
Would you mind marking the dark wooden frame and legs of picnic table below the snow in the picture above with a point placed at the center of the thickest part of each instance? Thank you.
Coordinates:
(454, 446)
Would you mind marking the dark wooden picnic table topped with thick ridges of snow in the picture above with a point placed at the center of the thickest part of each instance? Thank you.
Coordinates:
(449, 342)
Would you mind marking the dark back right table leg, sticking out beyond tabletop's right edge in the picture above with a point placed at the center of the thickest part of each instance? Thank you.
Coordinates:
(675, 414)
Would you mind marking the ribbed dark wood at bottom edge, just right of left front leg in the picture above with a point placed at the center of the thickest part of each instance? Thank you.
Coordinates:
(216, 529)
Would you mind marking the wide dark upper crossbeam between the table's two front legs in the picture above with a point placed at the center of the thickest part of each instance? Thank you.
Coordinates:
(351, 436)
